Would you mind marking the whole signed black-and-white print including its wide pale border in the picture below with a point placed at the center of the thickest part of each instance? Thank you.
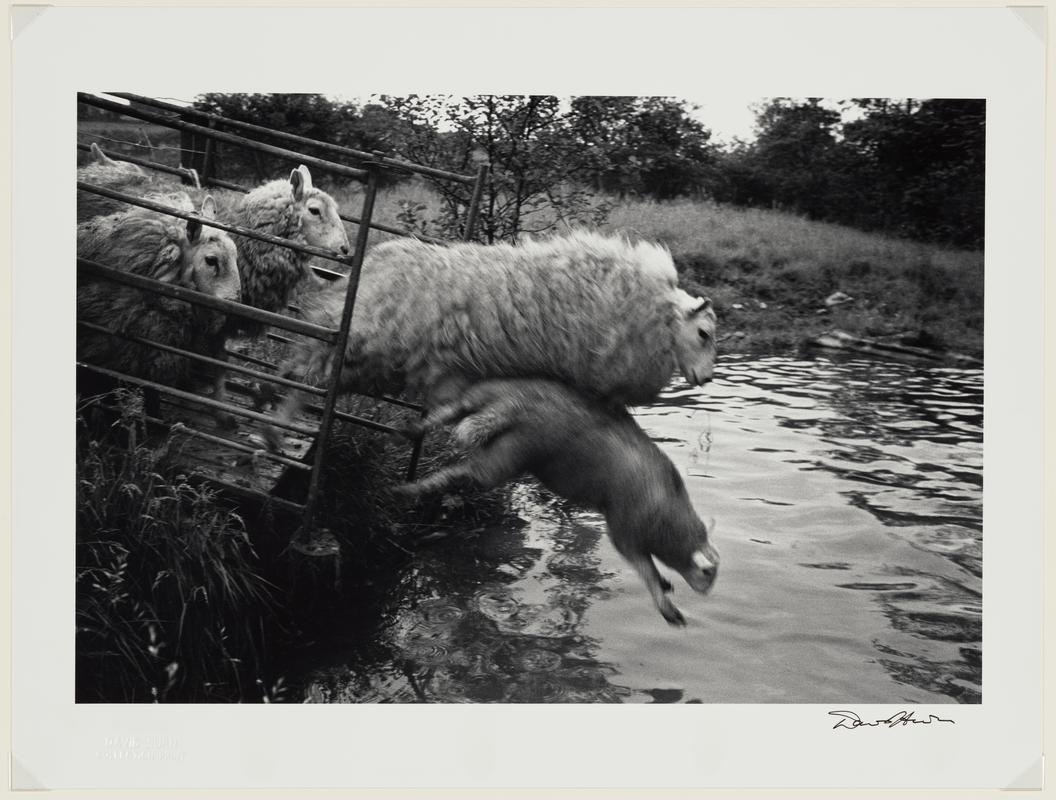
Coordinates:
(516, 397)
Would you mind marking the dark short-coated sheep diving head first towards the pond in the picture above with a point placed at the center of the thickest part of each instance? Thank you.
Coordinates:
(590, 453)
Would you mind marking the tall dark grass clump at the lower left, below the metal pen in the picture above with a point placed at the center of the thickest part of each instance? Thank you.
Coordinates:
(171, 606)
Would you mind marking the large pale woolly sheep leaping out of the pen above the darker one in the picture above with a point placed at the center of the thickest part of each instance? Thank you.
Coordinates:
(597, 313)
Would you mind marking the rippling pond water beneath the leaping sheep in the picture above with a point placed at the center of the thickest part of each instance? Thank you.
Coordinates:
(847, 499)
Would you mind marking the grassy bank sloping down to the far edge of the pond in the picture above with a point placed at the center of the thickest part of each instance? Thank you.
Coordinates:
(769, 274)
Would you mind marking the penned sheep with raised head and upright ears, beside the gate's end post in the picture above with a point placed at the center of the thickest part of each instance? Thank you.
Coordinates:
(292, 209)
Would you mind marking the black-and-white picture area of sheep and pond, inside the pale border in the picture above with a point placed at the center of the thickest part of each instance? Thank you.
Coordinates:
(779, 333)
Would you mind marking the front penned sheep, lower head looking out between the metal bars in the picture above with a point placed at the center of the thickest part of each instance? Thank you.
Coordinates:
(184, 254)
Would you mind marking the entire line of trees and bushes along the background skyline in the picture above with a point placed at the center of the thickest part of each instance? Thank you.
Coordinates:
(913, 168)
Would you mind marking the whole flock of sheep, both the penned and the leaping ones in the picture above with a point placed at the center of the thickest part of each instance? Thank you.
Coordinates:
(532, 352)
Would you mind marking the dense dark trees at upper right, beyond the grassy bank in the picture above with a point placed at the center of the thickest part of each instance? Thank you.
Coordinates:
(912, 168)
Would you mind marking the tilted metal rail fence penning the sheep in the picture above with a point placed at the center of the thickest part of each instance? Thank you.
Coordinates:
(217, 129)
